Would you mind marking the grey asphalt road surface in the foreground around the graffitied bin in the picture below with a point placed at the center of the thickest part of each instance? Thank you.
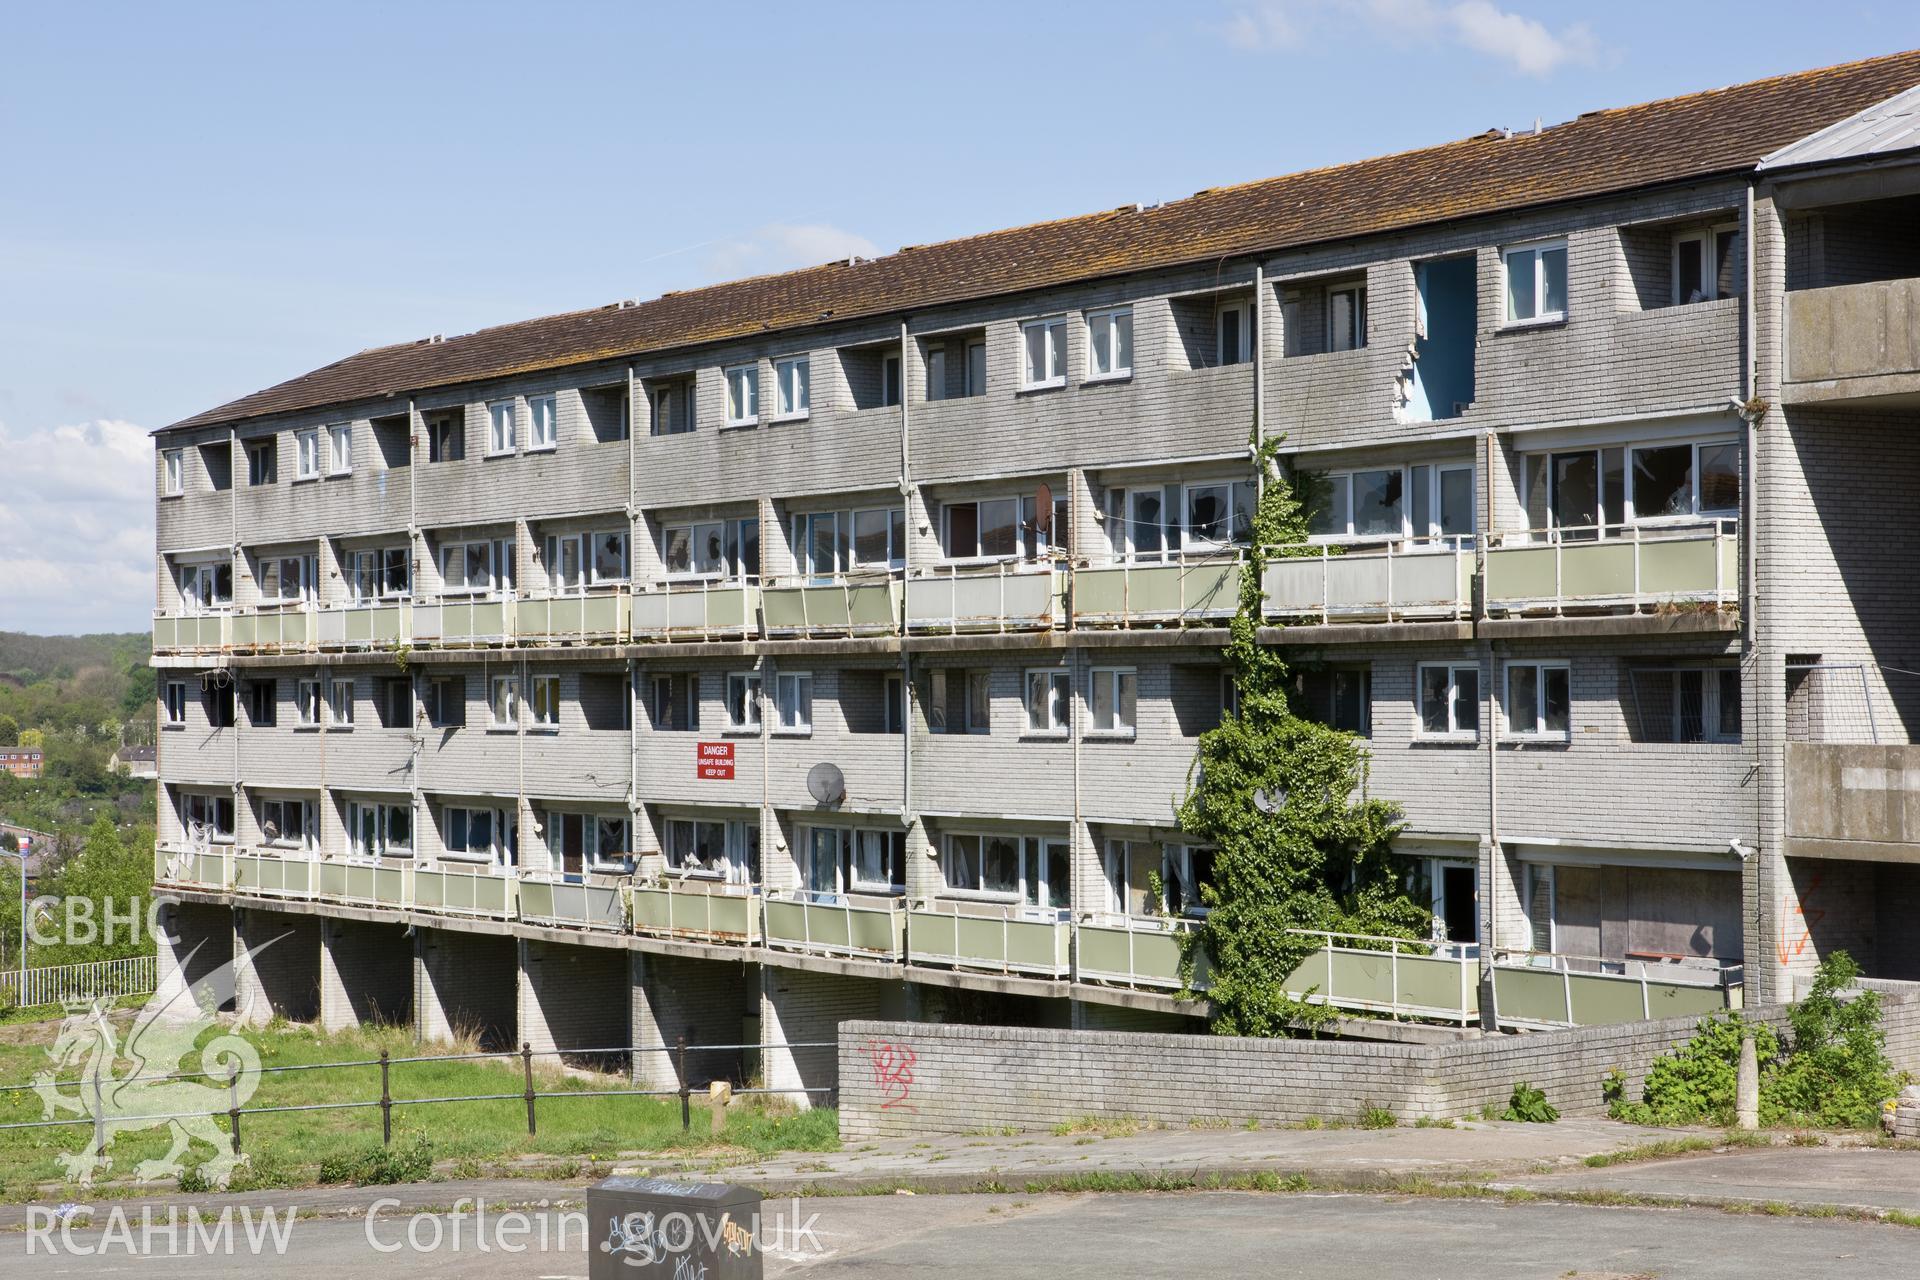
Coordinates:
(1330, 1237)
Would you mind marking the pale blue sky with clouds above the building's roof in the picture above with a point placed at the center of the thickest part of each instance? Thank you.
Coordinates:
(210, 199)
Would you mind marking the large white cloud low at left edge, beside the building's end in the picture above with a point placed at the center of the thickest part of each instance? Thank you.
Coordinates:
(78, 529)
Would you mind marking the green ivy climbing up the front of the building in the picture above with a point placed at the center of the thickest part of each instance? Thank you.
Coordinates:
(1322, 859)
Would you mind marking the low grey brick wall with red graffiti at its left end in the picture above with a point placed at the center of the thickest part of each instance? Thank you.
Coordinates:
(917, 1079)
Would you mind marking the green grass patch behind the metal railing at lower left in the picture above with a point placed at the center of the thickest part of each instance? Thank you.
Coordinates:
(306, 1147)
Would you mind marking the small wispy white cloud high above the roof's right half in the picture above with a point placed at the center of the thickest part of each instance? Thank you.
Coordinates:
(1481, 26)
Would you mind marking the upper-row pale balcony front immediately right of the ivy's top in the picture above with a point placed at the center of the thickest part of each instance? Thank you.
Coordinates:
(1370, 582)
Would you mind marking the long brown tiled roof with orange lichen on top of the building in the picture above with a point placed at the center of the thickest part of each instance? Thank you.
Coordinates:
(1602, 153)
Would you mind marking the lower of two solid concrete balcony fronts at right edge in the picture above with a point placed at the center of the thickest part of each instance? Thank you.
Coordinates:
(1856, 801)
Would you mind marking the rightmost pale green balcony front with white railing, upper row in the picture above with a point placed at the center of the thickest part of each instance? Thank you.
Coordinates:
(1614, 567)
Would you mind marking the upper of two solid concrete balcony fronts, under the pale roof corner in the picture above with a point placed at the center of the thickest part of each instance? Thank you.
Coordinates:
(1854, 343)
